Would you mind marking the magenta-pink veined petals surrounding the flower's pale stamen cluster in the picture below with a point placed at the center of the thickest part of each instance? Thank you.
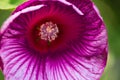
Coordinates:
(78, 53)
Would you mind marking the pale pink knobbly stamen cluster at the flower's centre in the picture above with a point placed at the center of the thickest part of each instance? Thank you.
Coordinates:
(48, 31)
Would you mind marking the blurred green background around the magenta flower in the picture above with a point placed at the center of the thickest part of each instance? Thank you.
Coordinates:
(110, 11)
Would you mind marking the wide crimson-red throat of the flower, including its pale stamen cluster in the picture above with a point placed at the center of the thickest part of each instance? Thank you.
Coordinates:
(53, 27)
